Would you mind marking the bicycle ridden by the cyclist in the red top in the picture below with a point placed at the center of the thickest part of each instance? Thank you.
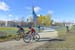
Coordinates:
(27, 38)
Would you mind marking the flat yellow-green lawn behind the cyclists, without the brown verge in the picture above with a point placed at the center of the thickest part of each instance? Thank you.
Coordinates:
(10, 30)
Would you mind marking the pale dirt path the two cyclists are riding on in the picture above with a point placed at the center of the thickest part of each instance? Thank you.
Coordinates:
(20, 45)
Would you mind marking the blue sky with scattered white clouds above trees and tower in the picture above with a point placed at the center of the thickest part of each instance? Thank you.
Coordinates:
(61, 10)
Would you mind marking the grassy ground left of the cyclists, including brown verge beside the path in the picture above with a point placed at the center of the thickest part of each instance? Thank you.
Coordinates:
(10, 33)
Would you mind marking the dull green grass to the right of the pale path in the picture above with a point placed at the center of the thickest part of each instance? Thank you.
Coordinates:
(66, 41)
